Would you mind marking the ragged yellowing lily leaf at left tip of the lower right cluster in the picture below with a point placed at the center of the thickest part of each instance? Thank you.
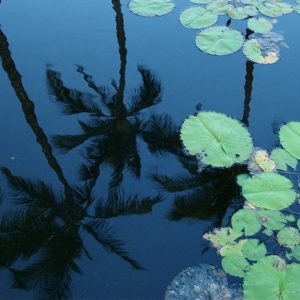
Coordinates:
(223, 236)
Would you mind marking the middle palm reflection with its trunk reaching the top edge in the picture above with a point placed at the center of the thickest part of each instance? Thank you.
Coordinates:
(114, 125)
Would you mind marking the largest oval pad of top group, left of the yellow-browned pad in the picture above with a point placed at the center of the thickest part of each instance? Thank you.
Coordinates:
(219, 40)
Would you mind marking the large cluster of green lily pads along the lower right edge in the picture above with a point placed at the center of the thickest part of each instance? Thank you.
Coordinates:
(221, 141)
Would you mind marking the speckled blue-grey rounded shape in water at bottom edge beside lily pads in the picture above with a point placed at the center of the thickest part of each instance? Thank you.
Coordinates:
(203, 282)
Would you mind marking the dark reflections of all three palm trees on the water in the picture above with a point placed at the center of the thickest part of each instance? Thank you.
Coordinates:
(45, 227)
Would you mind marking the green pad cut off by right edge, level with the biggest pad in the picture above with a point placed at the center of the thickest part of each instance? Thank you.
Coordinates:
(289, 136)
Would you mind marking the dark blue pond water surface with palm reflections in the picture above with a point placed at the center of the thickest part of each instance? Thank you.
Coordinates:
(83, 215)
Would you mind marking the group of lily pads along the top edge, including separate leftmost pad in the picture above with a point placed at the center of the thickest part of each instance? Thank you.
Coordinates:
(260, 47)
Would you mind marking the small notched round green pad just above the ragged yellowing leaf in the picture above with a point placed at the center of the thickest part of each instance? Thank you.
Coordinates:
(247, 220)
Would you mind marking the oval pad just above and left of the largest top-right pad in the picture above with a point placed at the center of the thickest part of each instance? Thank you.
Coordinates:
(198, 17)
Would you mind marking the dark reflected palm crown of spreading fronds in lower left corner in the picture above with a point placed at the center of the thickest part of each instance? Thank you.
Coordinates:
(45, 229)
